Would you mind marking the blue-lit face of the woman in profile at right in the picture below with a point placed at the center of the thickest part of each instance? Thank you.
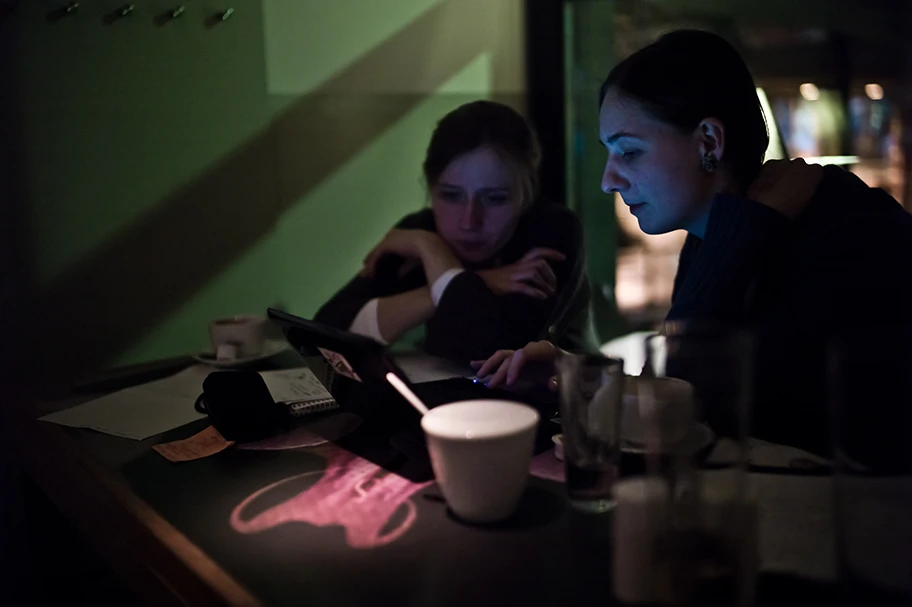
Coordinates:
(654, 167)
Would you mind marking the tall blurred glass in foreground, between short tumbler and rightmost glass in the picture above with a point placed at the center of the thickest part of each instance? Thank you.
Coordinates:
(707, 553)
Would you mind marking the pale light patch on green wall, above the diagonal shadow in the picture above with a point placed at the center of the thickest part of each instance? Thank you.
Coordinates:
(307, 43)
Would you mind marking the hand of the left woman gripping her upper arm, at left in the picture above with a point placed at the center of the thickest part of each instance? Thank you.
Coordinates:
(417, 247)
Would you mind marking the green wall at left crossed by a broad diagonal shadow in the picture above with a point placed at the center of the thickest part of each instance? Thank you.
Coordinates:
(176, 173)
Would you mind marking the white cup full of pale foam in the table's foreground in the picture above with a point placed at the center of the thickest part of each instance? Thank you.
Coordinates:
(480, 451)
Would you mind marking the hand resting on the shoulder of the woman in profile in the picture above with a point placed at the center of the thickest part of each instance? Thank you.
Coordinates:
(786, 185)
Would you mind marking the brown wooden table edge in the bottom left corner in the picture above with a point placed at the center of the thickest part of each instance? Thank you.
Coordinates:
(100, 503)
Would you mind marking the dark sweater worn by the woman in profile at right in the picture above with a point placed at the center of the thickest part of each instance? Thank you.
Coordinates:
(840, 270)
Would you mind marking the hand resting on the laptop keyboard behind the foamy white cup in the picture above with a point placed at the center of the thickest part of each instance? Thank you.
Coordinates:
(535, 362)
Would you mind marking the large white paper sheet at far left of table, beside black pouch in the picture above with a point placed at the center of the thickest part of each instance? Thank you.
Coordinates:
(140, 411)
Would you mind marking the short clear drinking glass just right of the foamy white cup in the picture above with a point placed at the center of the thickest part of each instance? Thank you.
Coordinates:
(591, 387)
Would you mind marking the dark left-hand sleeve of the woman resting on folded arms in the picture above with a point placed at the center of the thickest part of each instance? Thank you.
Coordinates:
(342, 308)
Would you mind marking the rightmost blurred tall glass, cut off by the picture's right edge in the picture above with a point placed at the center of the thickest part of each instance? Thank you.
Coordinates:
(870, 390)
